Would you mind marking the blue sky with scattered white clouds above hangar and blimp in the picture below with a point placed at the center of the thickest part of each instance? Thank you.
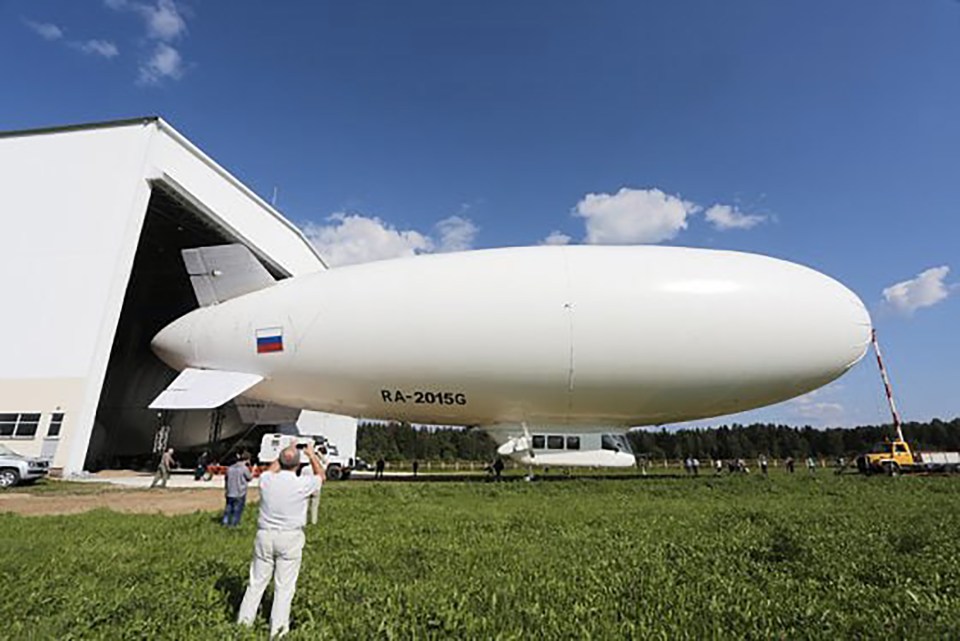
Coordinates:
(822, 132)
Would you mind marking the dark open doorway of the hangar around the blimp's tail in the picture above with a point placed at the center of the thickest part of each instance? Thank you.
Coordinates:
(158, 292)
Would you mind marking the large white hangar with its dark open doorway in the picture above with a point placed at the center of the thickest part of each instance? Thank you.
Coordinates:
(93, 220)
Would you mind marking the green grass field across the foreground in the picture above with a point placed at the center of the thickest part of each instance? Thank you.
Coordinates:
(655, 558)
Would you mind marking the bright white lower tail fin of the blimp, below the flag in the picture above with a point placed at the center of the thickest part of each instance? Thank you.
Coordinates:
(203, 389)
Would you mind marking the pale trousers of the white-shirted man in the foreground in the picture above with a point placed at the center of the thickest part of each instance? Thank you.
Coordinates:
(276, 553)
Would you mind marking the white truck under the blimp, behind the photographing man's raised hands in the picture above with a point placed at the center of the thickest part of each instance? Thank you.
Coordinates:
(335, 434)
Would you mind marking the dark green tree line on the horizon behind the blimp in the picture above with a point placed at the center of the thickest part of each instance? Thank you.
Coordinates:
(402, 441)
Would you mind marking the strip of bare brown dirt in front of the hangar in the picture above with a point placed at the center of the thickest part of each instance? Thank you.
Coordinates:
(119, 500)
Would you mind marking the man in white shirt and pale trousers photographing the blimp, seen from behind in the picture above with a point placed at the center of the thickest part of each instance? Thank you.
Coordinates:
(278, 547)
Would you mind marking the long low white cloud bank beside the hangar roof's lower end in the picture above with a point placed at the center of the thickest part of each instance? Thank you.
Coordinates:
(353, 238)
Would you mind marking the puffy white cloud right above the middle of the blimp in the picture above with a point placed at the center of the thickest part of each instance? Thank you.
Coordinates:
(633, 216)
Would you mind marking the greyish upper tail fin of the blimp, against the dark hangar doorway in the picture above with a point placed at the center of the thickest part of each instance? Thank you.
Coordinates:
(222, 272)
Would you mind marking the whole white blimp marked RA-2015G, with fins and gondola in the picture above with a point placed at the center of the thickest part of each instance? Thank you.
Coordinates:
(519, 341)
